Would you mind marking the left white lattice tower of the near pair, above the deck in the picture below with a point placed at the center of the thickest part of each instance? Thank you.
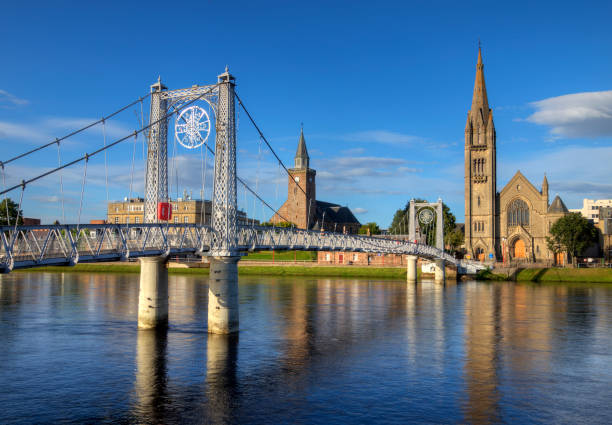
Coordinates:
(156, 173)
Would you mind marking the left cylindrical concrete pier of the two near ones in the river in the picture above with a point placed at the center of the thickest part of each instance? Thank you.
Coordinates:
(153, 294)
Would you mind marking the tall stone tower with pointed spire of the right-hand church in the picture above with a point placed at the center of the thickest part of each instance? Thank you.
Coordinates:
(480, 173)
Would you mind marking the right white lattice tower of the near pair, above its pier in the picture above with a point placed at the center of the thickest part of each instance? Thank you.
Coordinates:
(224, 190)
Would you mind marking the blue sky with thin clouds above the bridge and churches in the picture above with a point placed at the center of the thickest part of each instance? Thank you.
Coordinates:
(382, 88)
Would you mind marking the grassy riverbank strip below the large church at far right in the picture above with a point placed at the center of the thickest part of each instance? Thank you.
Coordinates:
(555, 274)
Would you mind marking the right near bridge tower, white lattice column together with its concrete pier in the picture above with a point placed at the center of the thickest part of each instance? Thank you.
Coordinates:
(224, 256)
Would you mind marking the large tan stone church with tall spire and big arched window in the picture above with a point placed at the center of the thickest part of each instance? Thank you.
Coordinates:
(507, 225)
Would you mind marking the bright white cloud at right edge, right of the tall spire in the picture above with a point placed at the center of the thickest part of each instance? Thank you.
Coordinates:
(587, 114)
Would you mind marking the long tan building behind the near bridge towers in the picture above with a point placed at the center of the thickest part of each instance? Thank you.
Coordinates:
(184, 210)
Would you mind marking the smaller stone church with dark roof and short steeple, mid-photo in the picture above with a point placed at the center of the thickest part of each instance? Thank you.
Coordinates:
(302, 207)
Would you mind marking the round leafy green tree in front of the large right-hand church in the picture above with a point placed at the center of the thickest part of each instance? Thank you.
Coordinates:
(572, 234)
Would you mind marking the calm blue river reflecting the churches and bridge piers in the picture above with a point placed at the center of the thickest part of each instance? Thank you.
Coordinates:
(309, 351)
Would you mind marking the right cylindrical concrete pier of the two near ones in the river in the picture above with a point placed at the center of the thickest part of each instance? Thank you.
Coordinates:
(223, 295)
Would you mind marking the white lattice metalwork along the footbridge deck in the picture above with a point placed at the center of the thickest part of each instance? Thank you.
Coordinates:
(34, 246)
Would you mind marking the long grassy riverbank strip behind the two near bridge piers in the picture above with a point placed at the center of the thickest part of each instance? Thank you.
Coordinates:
(309, 271)
